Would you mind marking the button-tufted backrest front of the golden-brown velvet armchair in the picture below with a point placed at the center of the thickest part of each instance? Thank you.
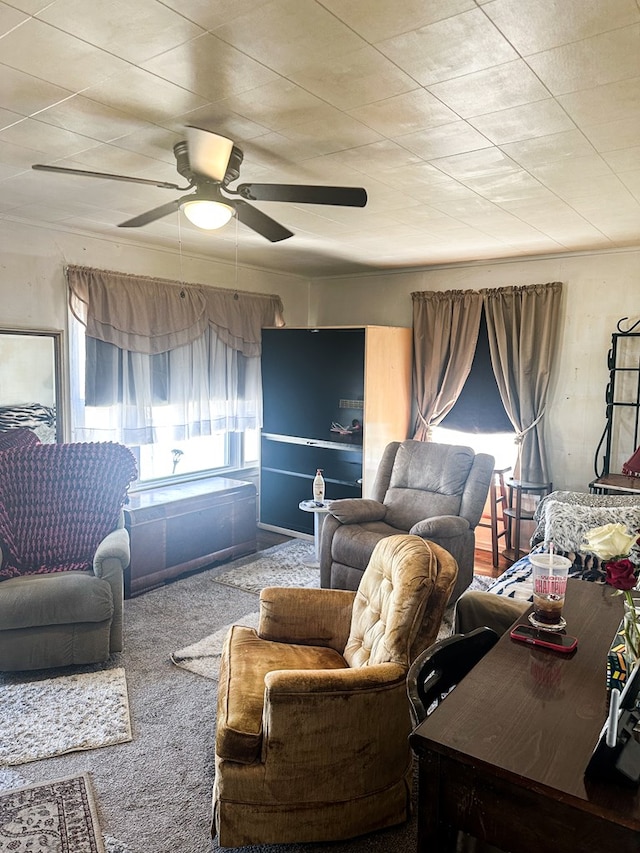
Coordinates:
(389, 606)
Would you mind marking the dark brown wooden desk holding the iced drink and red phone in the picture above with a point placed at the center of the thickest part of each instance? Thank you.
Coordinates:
(502, 758)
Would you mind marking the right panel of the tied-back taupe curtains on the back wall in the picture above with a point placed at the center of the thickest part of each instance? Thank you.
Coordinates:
(523, 325)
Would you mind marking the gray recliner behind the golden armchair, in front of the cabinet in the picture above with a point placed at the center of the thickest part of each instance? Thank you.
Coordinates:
(436, 491)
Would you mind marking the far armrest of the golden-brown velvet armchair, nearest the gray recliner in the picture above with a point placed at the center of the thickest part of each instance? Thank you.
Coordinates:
(317, 617)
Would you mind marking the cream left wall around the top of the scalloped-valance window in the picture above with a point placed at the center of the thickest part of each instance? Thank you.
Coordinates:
(33, 286)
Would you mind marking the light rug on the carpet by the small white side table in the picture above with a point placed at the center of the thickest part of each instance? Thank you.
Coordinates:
(281, 565)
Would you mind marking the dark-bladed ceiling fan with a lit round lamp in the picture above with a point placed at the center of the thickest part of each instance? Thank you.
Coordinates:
(209, 163)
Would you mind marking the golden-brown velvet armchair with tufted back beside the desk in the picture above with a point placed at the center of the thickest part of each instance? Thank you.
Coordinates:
(313, 715)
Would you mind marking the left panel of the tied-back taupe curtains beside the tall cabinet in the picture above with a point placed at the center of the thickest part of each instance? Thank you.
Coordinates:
(445, 334)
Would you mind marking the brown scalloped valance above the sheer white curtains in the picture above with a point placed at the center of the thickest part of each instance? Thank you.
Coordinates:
(153, 315)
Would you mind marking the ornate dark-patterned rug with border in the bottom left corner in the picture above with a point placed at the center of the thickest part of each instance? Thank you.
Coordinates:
(54, 817)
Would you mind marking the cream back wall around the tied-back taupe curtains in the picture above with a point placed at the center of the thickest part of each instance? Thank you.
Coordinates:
(599, 289)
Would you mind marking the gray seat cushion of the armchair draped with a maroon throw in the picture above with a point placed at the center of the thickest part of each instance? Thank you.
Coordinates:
(40, 600)
